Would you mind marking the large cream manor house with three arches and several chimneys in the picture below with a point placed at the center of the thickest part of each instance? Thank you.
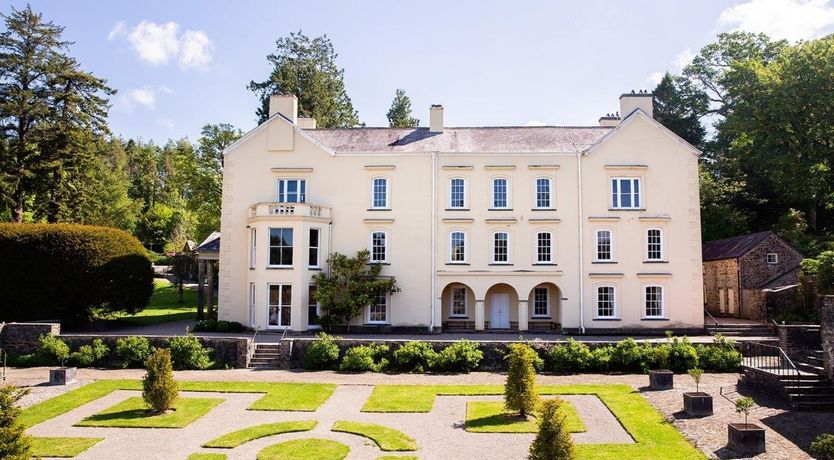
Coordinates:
(591, 229)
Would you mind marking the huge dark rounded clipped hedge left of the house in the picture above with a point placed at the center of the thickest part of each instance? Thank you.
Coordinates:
(68, 272)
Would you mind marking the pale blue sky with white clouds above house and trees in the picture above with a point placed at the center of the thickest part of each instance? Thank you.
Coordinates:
(180, 64)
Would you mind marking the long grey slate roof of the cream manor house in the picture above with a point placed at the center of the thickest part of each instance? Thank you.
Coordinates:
(513, 139)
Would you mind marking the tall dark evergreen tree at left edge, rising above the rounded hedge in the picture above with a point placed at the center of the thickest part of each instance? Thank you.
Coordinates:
(48, 107)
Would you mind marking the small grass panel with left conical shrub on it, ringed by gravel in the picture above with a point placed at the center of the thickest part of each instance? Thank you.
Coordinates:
(134, 413)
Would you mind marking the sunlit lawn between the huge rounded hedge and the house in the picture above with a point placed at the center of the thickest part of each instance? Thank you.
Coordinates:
(165, 306)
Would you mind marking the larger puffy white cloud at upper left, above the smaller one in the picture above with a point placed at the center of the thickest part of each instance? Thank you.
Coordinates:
(159, 44)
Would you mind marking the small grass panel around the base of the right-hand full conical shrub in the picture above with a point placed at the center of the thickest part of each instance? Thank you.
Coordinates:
(491, 417)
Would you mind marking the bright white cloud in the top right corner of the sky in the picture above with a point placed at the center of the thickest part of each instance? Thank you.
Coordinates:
(789, 19)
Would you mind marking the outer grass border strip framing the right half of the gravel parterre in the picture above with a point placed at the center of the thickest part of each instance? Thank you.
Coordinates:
(654, 437)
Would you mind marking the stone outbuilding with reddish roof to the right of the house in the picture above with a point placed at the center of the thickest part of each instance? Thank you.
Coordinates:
(750, 276)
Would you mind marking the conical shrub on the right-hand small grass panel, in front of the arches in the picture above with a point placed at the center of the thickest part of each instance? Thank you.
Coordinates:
(520, 391)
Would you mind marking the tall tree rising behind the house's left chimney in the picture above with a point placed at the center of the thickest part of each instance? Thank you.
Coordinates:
(307, 68)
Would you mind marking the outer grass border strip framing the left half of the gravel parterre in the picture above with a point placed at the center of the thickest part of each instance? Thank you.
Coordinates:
(278, 396)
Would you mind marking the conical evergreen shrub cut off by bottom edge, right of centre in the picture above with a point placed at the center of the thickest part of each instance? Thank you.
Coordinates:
(553, 441)
